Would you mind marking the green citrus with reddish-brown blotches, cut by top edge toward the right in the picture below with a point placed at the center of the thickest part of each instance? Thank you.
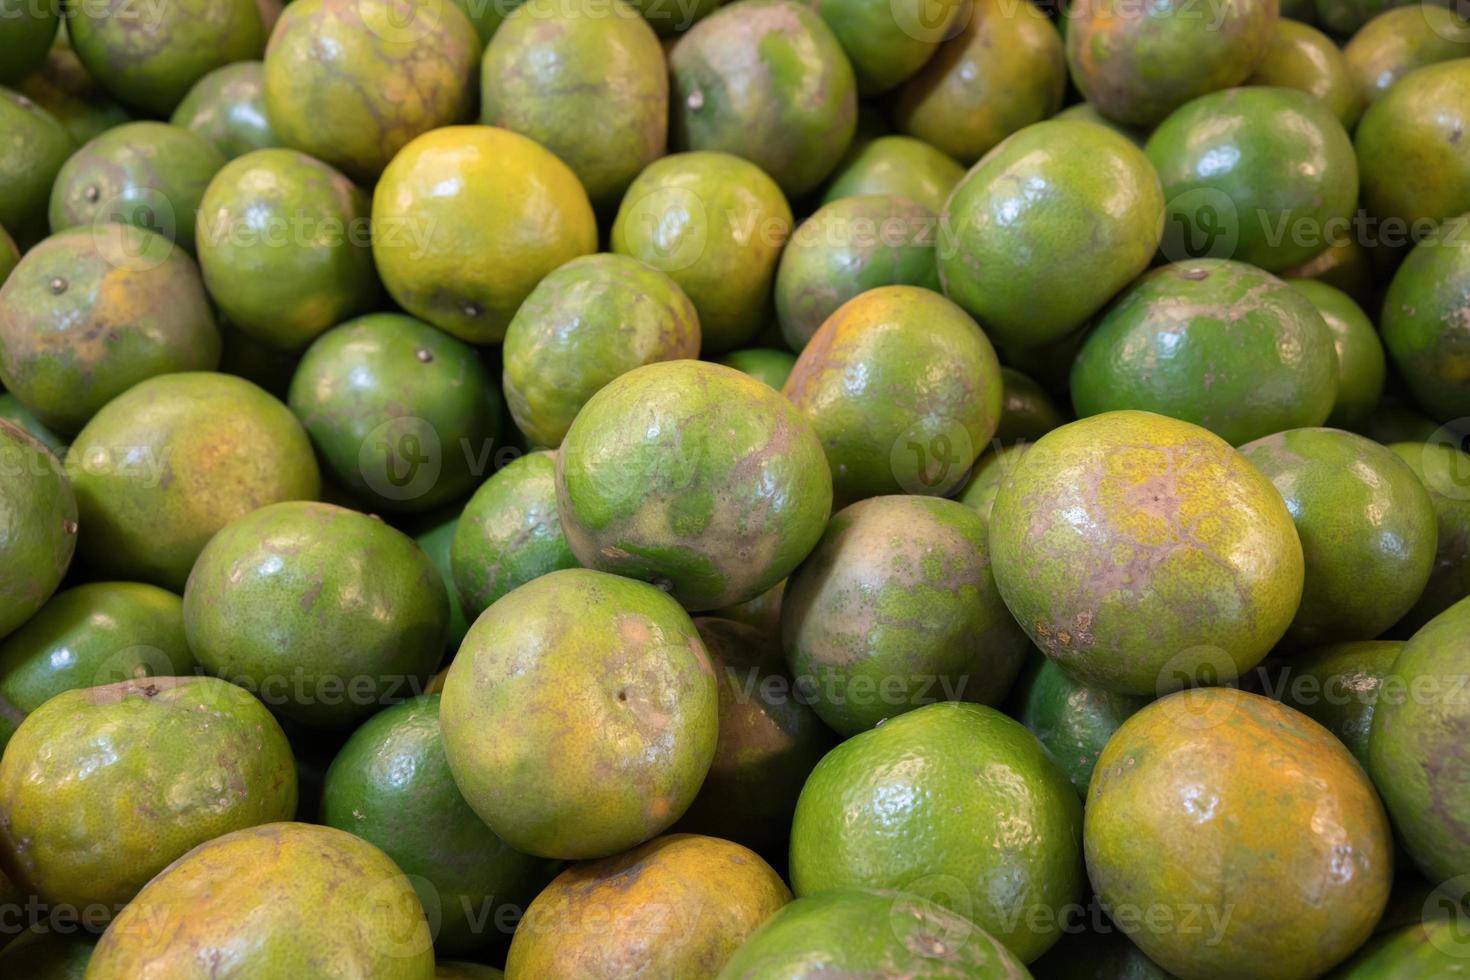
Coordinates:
(1139, 64)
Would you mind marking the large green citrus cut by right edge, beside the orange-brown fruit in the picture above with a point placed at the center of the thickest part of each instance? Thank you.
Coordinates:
(1416, 747)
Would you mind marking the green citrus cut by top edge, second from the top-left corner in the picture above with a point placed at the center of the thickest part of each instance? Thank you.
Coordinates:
(155, 68)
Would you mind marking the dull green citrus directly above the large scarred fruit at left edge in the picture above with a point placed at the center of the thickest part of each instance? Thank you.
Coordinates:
(145, 174)
